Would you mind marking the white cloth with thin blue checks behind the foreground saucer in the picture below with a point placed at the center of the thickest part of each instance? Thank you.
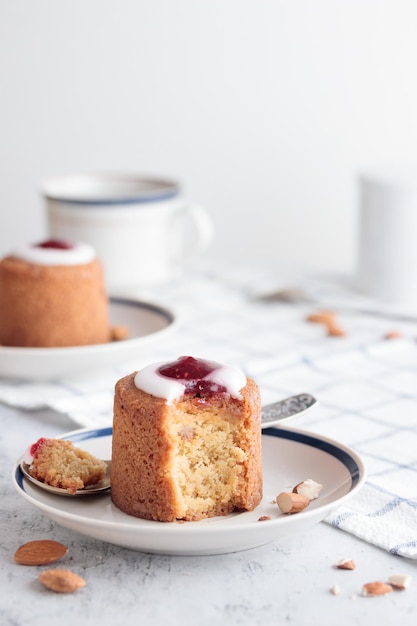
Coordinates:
(366, 384)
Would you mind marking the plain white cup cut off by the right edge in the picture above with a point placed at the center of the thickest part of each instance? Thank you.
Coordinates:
(387, 237)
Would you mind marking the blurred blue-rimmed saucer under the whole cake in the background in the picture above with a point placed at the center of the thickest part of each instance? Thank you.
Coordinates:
(146, 323)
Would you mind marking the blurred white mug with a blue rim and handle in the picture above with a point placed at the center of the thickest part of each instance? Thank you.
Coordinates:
(142, 228)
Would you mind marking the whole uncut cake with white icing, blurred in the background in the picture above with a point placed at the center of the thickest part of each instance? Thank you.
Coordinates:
(52, 294)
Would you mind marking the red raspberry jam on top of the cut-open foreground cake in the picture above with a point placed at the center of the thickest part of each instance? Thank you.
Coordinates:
(192, 373)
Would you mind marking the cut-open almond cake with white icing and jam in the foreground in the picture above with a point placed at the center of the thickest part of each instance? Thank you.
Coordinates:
(186, 441)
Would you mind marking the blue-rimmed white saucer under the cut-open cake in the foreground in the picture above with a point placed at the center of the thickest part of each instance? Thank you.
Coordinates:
(289, 456)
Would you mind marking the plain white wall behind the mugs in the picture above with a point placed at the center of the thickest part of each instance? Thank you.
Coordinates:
(265, 110)
